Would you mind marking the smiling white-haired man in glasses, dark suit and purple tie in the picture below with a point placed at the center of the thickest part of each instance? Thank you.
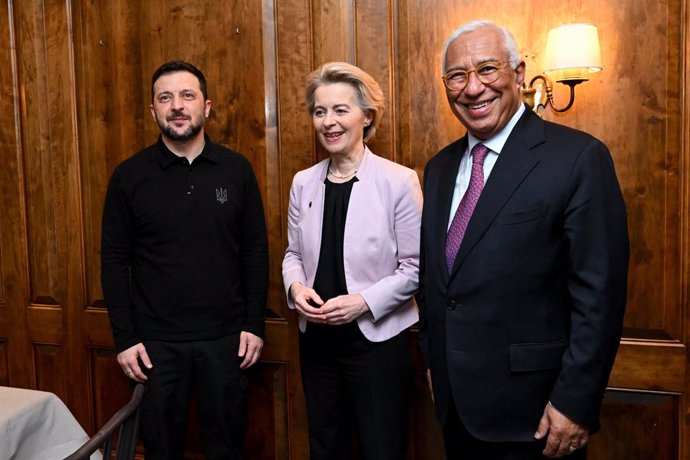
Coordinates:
(523, 266)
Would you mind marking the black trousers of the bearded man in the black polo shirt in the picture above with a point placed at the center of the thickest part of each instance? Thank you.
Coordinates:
(211, 369)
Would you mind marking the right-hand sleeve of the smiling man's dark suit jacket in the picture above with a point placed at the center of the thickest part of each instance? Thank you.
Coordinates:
(595, 226)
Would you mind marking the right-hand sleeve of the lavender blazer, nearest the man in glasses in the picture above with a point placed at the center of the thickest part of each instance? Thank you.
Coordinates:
(390, 292)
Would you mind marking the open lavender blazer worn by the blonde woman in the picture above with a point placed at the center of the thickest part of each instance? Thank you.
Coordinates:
(381, 243)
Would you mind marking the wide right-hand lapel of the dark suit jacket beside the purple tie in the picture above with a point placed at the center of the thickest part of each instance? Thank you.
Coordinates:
(512, 167)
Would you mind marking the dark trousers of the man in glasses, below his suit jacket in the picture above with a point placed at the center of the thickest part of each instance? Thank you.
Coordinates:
(462, 445)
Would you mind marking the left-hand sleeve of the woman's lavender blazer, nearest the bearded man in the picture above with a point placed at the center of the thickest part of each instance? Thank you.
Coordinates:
(293, 269)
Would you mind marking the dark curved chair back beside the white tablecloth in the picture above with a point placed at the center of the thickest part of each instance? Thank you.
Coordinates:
(127, 421)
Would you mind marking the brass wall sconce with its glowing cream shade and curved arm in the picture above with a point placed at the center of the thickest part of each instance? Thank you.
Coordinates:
(572, 53)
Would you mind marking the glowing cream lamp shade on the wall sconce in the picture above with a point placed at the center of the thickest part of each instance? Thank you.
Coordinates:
(572, 51)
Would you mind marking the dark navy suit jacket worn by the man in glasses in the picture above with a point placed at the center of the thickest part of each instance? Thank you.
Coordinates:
(533, 309)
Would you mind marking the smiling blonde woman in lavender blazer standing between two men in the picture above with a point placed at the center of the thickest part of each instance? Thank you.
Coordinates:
(351, 269)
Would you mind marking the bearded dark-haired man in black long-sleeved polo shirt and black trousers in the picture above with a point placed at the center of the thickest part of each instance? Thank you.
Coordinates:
(185, 272)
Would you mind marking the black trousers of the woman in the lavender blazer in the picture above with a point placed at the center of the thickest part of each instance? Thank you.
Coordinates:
(357, 389)
